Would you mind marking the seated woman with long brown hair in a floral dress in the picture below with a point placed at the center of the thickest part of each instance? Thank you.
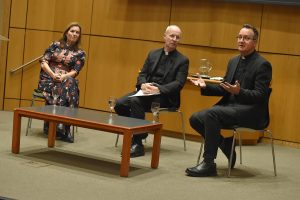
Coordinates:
(60, 64)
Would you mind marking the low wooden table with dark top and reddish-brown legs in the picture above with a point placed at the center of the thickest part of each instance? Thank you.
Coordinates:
(93, 120)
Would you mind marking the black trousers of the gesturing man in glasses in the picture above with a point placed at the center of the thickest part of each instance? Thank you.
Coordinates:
(209, 123)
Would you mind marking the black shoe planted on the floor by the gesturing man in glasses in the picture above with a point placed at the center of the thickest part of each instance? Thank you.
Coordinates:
(202, 170)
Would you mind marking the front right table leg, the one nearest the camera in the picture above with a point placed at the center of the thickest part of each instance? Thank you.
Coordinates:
(125, 154)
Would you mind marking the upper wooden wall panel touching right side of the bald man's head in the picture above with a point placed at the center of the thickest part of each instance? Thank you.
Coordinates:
(195, 19)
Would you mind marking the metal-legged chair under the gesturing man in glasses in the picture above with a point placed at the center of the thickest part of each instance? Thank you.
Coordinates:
(236, 131)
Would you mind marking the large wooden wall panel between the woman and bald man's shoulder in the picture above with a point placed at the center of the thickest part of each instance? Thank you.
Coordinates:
(113, 68)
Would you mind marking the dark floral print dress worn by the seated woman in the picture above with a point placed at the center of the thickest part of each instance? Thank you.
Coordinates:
(61, 60)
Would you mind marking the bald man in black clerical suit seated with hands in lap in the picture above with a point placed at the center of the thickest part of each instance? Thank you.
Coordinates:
(164, 73)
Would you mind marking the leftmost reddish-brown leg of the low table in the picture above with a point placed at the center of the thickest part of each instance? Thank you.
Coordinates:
(16, 133)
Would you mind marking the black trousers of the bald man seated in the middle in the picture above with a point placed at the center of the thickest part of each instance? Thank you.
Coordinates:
(136, 107)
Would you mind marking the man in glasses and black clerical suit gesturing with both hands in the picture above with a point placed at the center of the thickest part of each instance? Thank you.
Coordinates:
(245, 95)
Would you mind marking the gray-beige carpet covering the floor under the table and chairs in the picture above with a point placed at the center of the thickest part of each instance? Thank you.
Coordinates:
(89, 169)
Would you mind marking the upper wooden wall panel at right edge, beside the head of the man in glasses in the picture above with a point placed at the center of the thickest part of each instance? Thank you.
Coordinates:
(281, 24)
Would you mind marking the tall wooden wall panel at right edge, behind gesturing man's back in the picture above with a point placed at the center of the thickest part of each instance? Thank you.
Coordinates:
(284, 108)
